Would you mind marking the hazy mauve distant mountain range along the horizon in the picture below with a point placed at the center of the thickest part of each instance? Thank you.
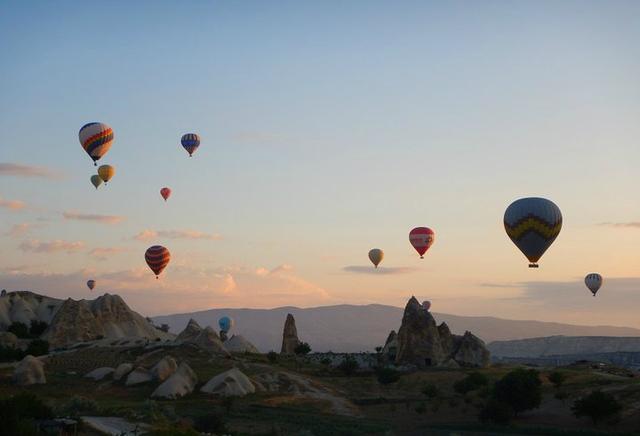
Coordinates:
(351, 328)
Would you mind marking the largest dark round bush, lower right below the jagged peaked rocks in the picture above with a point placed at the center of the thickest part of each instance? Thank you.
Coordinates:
(520, 388)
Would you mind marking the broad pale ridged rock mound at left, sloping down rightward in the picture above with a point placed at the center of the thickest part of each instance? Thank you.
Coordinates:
(107, 316)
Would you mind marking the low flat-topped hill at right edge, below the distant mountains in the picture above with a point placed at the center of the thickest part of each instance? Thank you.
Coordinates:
(564, 345)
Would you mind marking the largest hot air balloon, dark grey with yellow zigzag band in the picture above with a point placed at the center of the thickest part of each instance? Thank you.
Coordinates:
(533, 224)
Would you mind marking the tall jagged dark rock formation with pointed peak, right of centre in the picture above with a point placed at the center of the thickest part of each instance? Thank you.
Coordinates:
(422, 343)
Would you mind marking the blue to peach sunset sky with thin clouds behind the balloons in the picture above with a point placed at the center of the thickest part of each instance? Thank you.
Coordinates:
(328, 128)
